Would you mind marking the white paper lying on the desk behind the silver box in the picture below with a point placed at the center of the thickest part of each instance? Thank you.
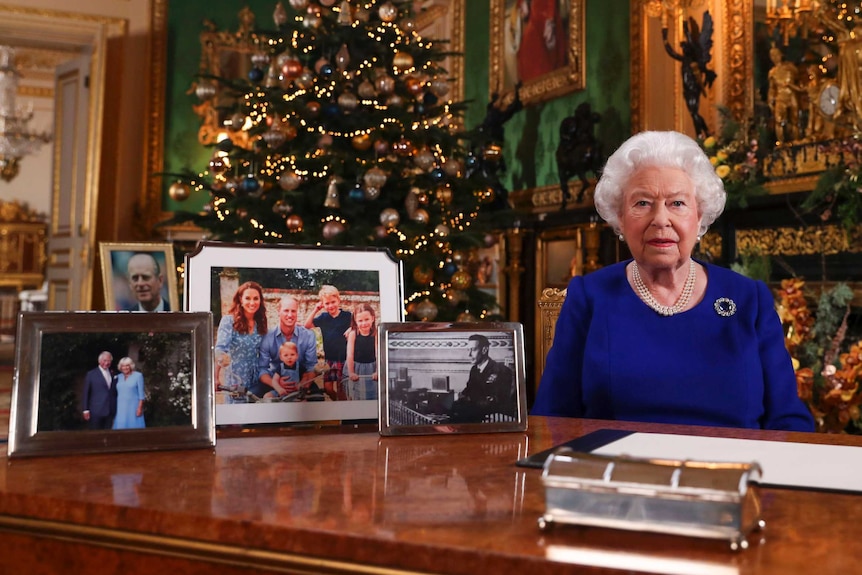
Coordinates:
(803, 465)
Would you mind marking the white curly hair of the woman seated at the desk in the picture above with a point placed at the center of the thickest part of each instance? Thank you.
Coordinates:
(659, 149)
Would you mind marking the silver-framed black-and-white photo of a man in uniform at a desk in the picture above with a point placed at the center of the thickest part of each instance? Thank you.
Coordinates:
(452, 378)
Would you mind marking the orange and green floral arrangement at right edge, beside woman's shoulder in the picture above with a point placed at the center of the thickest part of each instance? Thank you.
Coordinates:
(827, 379)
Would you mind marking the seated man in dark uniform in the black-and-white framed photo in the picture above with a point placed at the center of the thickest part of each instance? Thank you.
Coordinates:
(490, 387)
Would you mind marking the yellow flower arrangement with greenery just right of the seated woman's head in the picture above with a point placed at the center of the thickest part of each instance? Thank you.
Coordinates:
(735, 158)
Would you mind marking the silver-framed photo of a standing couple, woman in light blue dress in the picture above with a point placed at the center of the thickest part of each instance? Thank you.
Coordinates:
(93, 382)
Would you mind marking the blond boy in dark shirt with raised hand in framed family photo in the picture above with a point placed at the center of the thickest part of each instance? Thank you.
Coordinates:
(334, 324)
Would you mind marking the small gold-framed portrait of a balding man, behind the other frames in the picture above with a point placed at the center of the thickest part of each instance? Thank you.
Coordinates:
(139, 277)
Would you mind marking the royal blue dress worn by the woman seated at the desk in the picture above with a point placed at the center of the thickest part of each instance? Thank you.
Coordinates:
(615, 358)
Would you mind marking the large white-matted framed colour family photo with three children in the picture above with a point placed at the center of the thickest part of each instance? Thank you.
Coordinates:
(259, 293)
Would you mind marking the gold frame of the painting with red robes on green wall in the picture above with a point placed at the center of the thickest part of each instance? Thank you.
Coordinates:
(562, 81)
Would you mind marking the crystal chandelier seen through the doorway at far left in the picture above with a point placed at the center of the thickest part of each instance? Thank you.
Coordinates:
(16, 141)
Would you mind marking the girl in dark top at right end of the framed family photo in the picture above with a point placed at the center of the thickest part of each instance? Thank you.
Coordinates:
(361, 364)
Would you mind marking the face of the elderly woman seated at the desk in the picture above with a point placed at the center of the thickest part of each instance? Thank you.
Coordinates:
(659, 218)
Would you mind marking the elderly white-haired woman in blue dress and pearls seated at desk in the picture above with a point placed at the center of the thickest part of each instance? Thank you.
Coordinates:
(663, 337)
